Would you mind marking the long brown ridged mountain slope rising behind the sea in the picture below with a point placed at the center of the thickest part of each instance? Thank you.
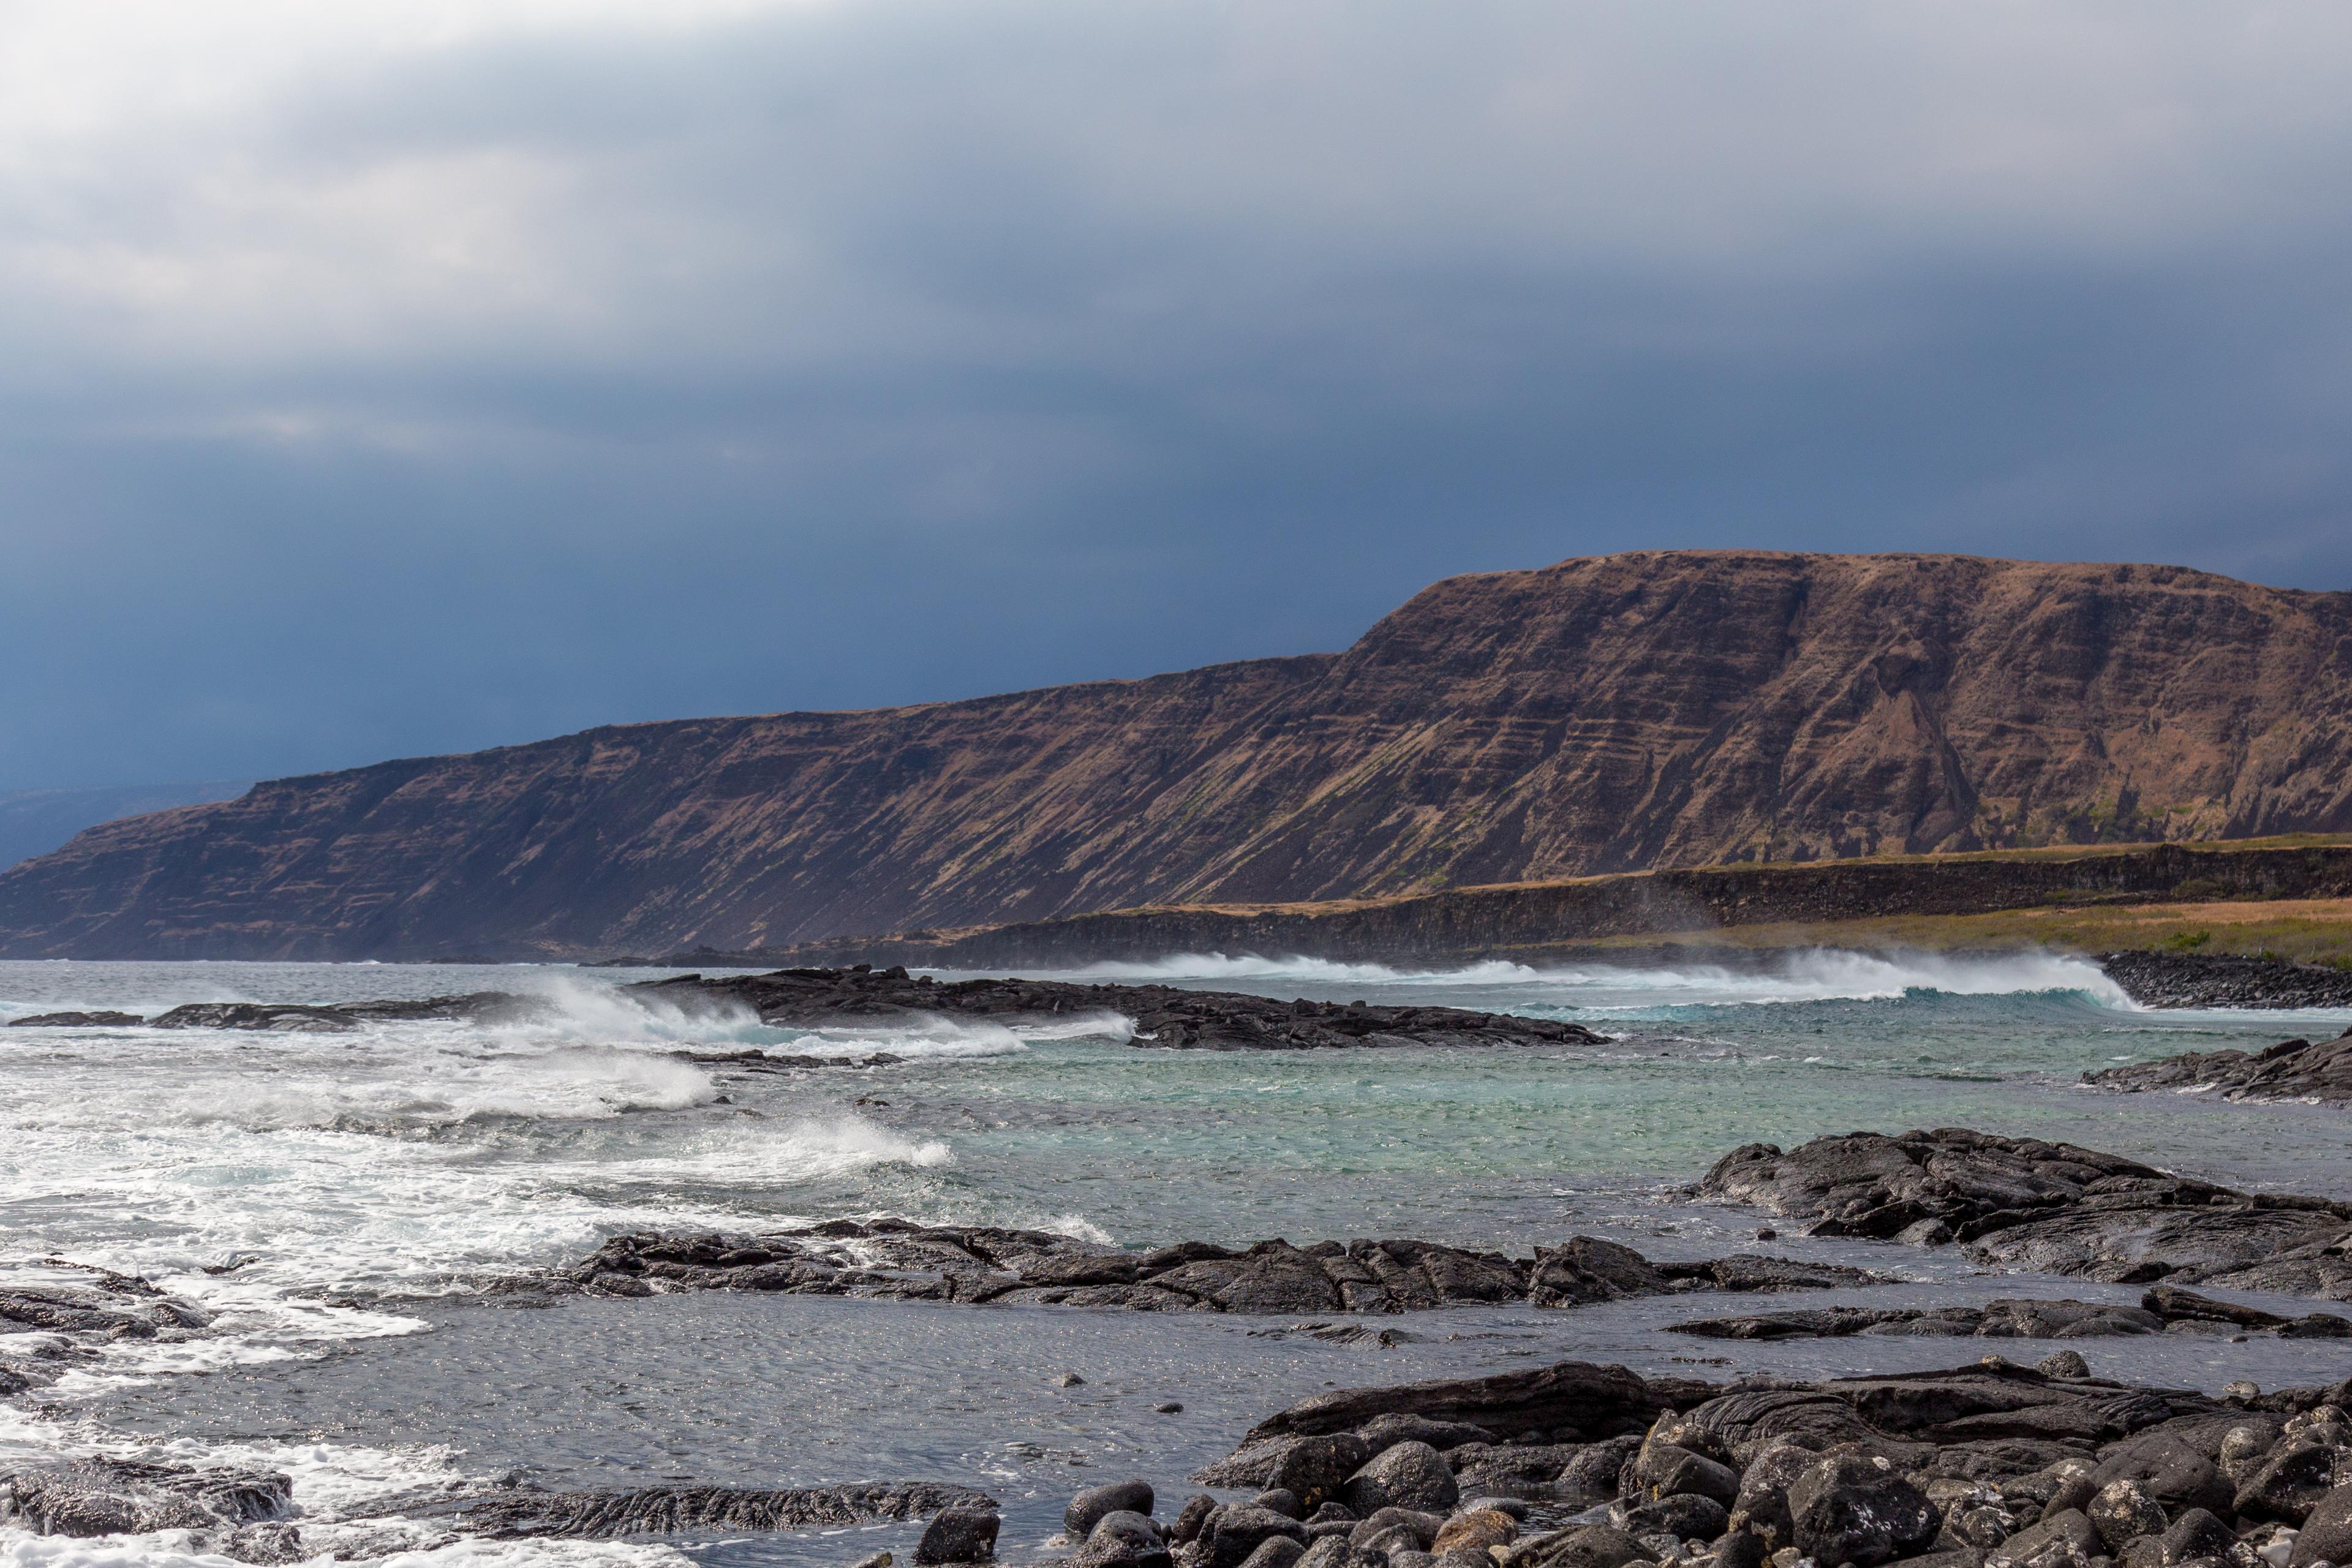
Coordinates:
(1603, 716)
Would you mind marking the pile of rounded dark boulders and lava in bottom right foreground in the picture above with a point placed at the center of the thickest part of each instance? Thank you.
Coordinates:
(1586, 1466)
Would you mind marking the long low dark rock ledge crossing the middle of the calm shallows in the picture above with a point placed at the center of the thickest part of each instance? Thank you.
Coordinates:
(893, 1259)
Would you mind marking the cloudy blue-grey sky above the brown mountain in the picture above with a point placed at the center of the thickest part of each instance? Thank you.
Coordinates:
(427, 375)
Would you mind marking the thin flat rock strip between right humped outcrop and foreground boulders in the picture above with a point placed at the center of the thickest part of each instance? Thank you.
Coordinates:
(2163, 1311)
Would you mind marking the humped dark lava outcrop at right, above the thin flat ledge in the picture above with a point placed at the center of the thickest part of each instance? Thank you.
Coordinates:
(2047, 1207)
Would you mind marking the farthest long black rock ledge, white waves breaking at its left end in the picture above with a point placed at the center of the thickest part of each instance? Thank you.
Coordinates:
(1163, 1014)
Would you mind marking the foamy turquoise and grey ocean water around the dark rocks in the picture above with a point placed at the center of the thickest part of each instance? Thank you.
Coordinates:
(335, 1205)
